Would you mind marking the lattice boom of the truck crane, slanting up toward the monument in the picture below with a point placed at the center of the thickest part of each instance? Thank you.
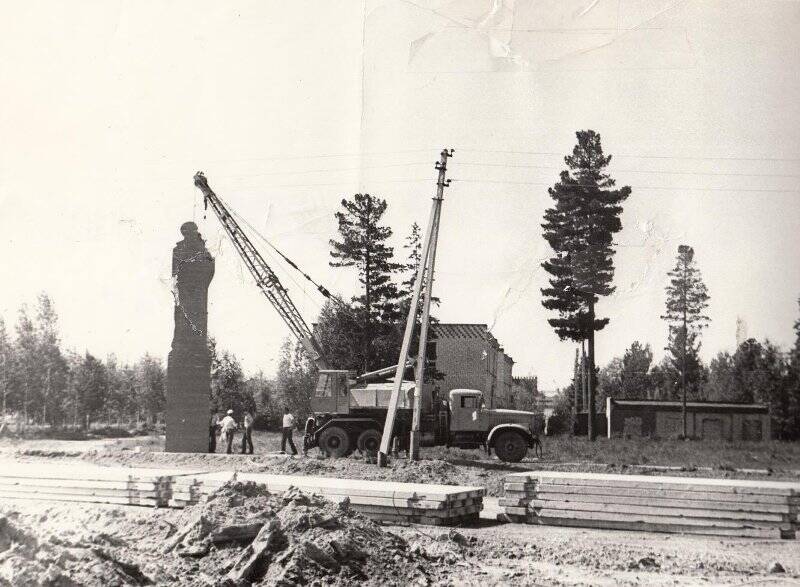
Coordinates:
(266, 279)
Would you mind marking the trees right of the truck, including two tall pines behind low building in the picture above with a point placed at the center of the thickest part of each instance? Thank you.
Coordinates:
(579, 228)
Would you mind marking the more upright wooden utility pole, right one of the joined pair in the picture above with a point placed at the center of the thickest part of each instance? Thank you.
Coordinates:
(430, 262)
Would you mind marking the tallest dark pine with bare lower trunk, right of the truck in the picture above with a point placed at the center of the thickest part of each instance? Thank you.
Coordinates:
(580, 229)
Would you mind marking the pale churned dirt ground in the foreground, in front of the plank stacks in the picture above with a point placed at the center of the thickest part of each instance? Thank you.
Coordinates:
(107, 545)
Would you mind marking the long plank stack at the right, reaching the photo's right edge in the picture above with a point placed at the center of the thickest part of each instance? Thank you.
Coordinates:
(729, 507)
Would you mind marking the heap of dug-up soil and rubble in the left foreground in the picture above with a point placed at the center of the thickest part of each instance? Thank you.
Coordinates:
(241, 535)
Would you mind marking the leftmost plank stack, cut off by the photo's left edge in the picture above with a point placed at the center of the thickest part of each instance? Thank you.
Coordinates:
(84, 483)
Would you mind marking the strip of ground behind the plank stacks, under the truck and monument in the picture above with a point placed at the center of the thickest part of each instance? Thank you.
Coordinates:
(769, 460)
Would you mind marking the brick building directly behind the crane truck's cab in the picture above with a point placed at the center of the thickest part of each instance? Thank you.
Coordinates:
(471, 358)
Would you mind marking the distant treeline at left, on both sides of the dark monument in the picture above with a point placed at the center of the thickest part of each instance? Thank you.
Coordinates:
(43, 384)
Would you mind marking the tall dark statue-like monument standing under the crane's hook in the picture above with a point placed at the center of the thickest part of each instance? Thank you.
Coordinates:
(189, 364)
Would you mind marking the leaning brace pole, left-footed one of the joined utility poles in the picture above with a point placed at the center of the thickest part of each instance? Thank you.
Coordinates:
(388, 428)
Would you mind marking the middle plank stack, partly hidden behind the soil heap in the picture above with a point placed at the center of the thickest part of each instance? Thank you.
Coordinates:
(385, 501)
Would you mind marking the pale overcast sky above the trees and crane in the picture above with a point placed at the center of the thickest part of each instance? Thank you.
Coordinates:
(109, 107)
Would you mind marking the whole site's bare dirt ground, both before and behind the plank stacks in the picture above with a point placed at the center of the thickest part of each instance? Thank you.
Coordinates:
(73, 542)
